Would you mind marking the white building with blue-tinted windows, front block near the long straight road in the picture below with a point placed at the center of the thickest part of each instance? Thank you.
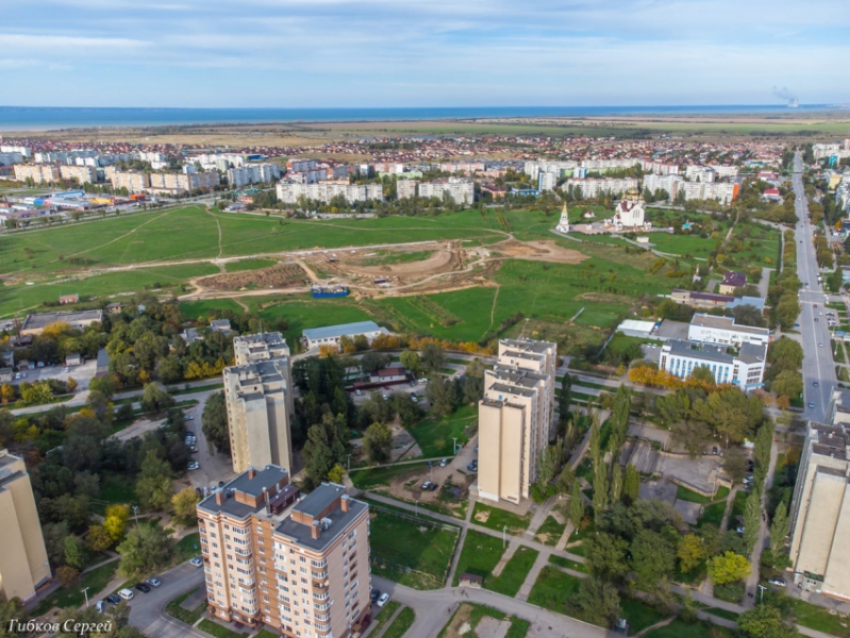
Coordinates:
(745, 369)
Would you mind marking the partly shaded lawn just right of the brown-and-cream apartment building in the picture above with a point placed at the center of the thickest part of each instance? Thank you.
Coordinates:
(415, 554)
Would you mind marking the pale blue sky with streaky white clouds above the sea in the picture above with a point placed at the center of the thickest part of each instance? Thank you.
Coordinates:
(396, 53)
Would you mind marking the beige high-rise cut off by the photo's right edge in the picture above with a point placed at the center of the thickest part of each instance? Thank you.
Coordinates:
(820, 512)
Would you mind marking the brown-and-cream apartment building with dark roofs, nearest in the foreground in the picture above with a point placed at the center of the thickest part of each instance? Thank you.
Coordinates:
(299, 565)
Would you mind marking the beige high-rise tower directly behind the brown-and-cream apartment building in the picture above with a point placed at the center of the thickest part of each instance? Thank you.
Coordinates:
(259, 401)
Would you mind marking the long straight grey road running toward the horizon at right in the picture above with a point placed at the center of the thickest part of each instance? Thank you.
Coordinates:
(818, 364)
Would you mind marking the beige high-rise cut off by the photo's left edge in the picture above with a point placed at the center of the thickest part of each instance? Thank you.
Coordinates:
(23, 557)
